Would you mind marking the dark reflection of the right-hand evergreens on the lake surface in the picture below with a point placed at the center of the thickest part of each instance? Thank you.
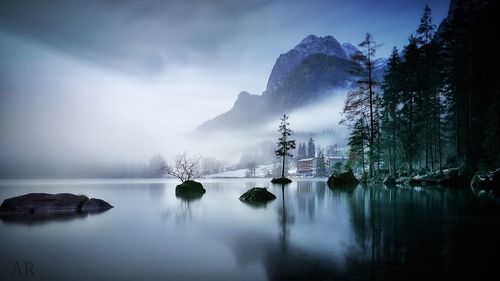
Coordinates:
(397, 233)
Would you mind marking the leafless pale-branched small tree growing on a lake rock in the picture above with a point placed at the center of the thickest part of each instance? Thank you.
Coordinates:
(184, 167)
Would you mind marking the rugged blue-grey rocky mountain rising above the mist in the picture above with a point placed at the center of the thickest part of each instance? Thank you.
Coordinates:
(315, 69)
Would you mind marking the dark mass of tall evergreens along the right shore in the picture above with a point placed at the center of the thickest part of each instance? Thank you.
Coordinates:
(438, 105)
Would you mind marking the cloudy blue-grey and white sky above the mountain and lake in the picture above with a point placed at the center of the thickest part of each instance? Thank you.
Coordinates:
(114, 78)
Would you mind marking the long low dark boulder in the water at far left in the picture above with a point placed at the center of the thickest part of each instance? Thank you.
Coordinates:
(46, 204)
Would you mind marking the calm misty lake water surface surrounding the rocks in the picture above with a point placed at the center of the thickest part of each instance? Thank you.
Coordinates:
(309, 232)
